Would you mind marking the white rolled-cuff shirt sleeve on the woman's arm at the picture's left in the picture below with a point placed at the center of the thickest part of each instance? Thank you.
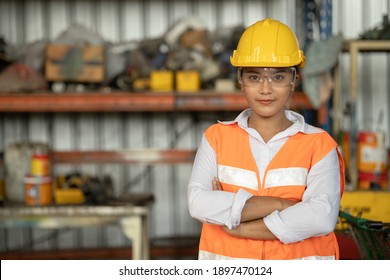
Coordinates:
(206, 205)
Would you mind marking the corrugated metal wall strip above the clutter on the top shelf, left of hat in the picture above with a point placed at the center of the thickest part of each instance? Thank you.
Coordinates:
(121, 20)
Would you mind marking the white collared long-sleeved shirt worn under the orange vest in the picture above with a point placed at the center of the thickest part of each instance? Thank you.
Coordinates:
(319, 208)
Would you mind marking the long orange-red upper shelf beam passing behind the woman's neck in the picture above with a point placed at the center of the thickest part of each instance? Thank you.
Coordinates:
(119, 101)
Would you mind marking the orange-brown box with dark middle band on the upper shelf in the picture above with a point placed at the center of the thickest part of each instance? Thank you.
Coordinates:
(74, 63)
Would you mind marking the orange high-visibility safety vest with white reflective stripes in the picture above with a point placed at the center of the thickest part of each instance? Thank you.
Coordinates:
(299, 153)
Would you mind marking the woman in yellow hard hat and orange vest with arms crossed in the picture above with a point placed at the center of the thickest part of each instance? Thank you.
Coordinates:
(267, 185)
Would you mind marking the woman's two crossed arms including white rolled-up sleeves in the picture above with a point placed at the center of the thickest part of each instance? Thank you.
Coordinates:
(316, 214)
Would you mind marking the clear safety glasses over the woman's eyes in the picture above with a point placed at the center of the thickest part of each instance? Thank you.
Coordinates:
(276, 77)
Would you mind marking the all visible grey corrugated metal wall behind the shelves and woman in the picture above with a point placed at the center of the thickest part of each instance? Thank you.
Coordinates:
(23, 22)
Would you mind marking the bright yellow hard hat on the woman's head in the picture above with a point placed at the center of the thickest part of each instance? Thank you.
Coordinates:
(268, 43)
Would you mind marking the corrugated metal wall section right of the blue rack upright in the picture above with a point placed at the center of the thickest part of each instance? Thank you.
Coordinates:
(352, 18)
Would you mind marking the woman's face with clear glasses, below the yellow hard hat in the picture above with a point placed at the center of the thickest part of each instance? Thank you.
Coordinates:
(267, 90)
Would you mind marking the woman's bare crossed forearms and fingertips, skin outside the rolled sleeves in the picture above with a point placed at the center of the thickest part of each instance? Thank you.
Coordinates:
(252, 225)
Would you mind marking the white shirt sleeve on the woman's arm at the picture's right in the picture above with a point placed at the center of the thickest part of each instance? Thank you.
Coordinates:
(317, 214)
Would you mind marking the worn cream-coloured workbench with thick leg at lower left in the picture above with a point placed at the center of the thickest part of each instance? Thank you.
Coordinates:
(132, 218)
